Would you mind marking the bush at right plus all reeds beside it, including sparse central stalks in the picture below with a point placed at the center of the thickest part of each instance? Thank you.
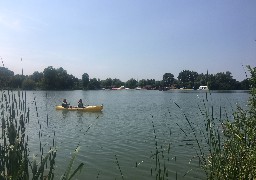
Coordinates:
(225, 146)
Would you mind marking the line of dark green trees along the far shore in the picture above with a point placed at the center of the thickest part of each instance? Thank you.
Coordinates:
(59, 79)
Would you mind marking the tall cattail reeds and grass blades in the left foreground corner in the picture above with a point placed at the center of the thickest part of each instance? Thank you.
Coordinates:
(15, 155)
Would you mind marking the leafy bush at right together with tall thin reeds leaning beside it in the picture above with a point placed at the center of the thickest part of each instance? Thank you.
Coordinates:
(226, 148)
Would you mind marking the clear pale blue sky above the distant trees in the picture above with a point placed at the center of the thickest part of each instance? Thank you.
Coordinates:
(141, 39)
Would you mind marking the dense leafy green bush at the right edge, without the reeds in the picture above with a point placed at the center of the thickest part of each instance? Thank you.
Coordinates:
(237, 157)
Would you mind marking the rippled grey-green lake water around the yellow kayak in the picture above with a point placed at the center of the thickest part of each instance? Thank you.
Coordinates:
(121, 141)
